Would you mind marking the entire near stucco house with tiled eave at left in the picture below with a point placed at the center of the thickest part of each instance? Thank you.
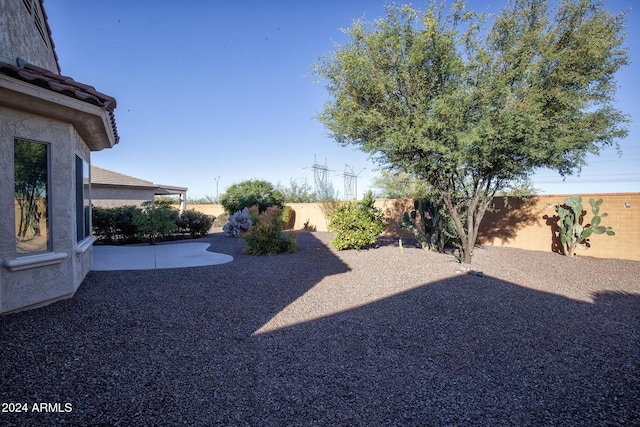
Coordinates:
(49, 125)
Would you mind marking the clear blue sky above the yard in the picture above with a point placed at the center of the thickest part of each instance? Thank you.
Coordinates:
(220, 91)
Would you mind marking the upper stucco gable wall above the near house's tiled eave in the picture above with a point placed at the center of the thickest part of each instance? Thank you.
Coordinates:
(19, 37)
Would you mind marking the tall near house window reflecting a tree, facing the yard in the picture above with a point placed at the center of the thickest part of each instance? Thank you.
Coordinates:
(31, 195)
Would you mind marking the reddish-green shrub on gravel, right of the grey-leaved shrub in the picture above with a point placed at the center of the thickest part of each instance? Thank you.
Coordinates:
(265, 237)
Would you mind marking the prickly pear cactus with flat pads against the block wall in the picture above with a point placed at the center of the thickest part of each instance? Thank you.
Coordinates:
(572, 233)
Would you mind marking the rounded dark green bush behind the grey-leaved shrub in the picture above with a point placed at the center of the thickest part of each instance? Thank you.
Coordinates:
(249, 193)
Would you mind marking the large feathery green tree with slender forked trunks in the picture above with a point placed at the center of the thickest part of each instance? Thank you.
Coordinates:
(471, 105)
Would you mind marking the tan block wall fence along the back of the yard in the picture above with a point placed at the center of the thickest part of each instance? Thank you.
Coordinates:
(529, 224)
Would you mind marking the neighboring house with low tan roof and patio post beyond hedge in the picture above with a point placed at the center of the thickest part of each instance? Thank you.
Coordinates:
(110, 189)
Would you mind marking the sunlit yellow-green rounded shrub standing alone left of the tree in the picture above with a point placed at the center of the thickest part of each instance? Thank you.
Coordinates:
(357, 224)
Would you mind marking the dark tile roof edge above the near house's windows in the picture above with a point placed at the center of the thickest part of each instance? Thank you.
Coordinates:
(44, 78)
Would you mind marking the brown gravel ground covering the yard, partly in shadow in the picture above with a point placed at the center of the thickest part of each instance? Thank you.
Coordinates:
(320, 337)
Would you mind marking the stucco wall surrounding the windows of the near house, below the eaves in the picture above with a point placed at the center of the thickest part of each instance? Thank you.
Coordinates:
(41, 284)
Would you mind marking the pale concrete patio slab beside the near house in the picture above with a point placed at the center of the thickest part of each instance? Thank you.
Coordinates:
(149, 257)
